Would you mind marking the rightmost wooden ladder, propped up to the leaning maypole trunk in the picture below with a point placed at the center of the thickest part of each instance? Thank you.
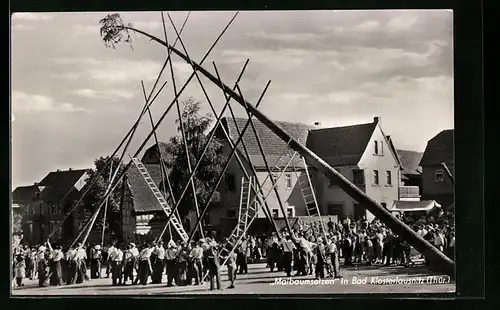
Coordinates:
(307, 190)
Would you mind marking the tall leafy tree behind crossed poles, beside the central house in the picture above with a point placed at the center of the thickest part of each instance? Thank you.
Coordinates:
(205, 179)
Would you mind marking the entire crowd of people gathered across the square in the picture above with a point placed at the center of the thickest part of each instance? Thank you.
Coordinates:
(307, 251)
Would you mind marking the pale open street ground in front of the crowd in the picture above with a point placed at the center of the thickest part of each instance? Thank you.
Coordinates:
(371, 279)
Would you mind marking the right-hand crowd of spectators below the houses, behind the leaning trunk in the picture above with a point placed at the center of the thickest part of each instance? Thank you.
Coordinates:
(357, 242)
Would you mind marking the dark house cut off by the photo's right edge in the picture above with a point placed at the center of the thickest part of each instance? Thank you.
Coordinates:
(436, 184)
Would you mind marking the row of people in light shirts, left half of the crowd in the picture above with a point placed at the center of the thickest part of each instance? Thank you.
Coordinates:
(184, 264)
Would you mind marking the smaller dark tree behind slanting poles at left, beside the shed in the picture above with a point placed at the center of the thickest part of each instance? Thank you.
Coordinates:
(96, 194)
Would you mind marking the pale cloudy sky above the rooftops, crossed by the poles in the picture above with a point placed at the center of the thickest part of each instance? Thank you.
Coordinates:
(73, 99)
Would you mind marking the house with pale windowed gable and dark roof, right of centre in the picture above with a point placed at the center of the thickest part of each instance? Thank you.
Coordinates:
(362, 154)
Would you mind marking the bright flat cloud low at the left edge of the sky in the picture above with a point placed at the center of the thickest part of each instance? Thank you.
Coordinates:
(23, 102)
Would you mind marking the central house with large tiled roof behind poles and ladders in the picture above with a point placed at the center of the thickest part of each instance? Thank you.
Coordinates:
(287, 187)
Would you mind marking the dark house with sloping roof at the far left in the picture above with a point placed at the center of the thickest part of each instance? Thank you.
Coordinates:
(44, 204)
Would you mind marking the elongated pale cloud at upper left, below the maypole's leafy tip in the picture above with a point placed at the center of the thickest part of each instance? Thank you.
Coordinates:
(114, 71)
